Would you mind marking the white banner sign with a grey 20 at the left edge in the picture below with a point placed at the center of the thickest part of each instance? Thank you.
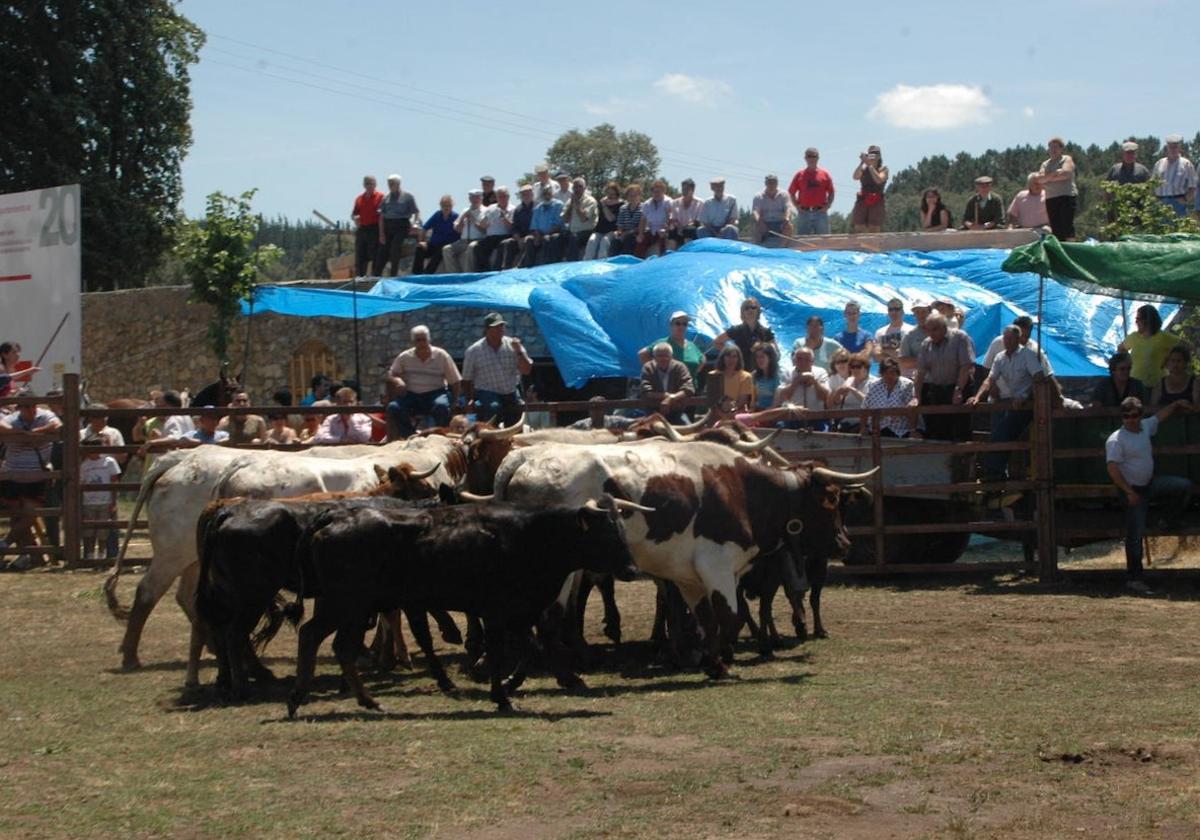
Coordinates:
(40, 283)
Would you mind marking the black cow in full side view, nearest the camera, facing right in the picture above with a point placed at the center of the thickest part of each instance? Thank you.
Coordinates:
(502, 563)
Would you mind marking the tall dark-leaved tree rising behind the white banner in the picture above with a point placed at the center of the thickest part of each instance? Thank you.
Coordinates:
(98, 93)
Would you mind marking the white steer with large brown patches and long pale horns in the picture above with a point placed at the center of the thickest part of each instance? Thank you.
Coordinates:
(716, 511)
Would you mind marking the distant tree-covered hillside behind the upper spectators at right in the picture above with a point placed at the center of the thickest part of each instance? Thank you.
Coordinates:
(956, 179)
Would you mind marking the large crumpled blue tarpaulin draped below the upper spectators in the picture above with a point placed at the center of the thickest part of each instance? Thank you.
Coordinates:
(595, 316)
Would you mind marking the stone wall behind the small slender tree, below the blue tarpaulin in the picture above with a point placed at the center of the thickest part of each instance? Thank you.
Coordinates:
(142, 339)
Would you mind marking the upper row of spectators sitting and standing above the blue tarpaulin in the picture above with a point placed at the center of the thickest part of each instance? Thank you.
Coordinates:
(556, 218)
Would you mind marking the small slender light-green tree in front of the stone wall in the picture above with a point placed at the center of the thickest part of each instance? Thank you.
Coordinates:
(223, 263)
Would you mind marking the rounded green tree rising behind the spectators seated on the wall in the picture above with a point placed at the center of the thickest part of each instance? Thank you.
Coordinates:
(603, 154)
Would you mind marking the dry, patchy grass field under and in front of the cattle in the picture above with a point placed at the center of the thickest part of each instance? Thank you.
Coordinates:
(982, 709)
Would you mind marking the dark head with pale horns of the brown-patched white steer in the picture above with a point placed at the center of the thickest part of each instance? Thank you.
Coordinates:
(815, 526)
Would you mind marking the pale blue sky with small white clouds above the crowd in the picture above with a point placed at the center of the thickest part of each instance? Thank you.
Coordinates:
(303, 99)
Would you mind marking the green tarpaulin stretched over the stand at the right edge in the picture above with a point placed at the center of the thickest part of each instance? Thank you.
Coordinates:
(1163, 268)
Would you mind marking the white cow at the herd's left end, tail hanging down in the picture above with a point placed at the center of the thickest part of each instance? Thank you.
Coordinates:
(181, 484)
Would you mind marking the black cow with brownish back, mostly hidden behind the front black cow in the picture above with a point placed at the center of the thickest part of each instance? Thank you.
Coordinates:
(248, 550)
